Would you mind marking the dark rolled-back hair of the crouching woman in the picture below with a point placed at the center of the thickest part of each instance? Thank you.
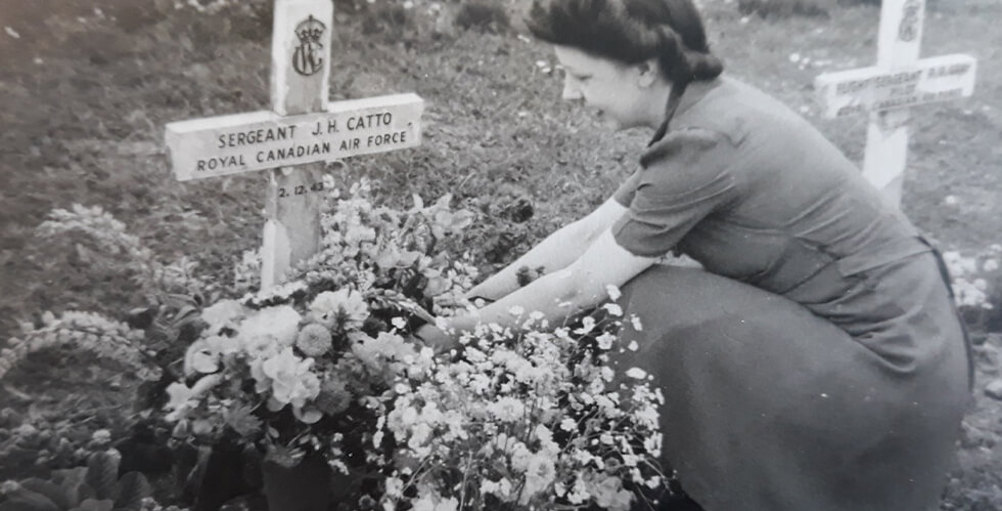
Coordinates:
(634, 32)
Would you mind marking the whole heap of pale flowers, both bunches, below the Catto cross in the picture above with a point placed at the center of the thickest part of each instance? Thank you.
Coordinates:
(527, 418)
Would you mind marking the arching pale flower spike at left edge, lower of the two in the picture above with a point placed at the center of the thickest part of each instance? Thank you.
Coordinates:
(84, 331)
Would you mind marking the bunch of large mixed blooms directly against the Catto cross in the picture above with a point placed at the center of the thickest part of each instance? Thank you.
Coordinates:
(301, 368)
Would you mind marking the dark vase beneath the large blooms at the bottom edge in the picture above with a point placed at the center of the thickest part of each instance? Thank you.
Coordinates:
(305, 487)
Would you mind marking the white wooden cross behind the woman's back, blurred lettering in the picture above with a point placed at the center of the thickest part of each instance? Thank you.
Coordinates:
(886, 92)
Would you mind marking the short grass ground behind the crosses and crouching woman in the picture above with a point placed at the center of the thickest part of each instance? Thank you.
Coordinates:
(85, 96)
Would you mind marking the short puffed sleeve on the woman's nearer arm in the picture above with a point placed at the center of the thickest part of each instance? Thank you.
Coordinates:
(686, 178)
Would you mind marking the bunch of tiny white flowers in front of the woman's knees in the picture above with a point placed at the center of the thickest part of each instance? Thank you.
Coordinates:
(527, 419)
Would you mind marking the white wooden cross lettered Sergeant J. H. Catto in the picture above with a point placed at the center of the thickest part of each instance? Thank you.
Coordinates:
(304, 130)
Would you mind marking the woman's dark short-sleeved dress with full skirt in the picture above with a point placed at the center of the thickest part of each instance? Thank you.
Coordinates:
(818, 364)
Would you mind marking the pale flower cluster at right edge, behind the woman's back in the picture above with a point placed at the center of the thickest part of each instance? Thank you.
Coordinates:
(972, 276)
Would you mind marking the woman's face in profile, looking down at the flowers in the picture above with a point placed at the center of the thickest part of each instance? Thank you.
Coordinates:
(619, 93)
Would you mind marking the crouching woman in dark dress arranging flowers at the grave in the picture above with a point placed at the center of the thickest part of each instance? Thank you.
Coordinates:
(817, 364)
